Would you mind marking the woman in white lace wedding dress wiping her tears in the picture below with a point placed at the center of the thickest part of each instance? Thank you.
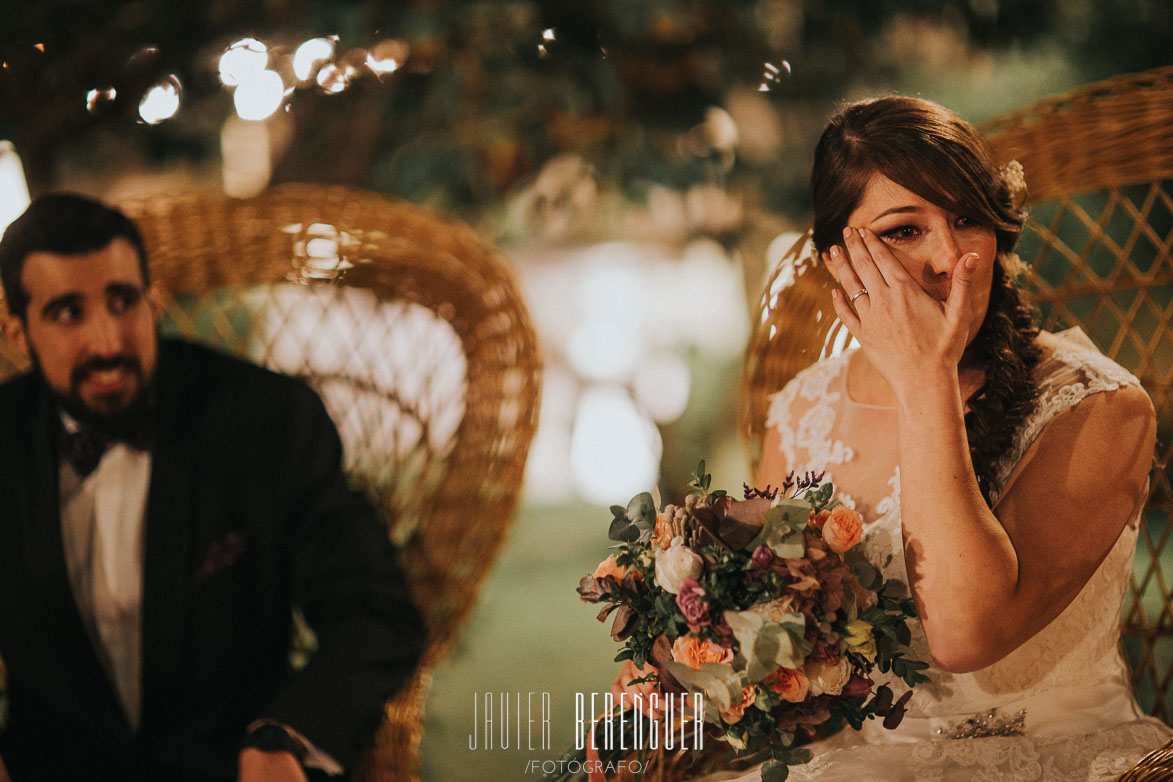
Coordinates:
(1005, 467)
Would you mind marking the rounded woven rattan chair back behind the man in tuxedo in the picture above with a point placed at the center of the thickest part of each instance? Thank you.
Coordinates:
(413, 331)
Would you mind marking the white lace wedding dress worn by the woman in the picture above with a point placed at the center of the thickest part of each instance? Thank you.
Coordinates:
(1060, 708)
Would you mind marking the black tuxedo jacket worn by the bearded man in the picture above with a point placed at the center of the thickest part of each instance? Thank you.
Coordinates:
(248, 515)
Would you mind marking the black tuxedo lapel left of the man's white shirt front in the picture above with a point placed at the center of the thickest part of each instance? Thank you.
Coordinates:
(71, 659)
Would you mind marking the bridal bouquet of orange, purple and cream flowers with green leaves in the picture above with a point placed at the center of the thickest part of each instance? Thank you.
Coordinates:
(763, 607)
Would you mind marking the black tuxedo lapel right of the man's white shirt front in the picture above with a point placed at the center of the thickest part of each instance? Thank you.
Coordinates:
(167, 562)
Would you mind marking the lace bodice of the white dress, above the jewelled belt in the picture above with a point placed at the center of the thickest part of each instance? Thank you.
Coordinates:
(821, 429)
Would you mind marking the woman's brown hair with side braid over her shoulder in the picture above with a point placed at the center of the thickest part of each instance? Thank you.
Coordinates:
(930, 151)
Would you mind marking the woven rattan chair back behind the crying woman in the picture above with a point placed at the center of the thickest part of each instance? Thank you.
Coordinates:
(1097, 247)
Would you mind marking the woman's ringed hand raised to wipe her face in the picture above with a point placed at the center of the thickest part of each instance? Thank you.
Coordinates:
(905, 332)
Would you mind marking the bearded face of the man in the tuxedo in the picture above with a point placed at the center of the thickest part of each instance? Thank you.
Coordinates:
(91, 329)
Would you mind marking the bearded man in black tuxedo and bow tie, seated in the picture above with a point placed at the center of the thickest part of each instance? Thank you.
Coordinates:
(164, 511)
